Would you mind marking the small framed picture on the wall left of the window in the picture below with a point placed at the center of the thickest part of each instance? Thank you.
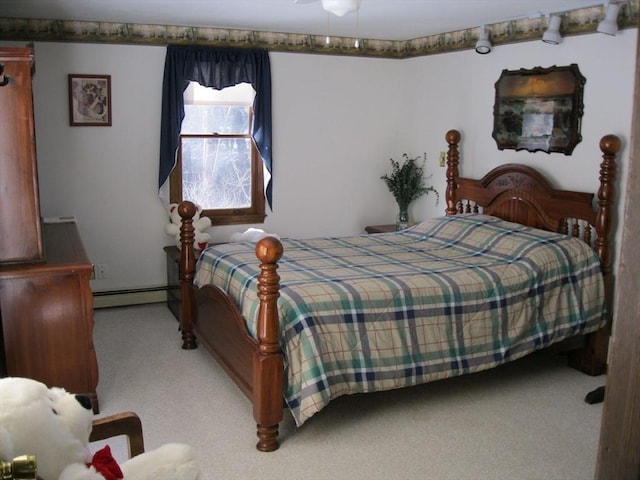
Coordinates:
(90, 100)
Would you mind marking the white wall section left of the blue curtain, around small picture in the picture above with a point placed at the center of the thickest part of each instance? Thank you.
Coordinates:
(105, 176)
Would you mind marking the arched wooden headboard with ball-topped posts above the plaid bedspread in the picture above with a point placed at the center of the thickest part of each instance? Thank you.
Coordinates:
(521, 194)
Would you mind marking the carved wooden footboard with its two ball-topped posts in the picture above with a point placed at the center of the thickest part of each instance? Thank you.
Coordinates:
(209, 317)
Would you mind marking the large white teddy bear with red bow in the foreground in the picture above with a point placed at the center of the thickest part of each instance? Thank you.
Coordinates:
(54, 425)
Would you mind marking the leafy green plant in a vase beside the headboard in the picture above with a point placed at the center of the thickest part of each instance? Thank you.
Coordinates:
(406, 183)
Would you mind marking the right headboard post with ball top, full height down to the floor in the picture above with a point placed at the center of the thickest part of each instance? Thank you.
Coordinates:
(592, 359)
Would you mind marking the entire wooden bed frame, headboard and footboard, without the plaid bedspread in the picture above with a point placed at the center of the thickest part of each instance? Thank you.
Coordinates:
(513, 192)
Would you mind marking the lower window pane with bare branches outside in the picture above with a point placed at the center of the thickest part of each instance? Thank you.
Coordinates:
(216, 172)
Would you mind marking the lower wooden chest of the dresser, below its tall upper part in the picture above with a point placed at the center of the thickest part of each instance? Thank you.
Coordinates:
(46, 312)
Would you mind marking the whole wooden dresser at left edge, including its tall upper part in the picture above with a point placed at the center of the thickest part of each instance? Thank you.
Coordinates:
(46, 304)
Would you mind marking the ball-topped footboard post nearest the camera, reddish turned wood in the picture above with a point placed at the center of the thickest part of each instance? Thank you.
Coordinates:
(268, 367)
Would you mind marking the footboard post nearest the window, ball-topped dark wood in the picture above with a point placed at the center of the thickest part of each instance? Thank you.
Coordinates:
(187, 269)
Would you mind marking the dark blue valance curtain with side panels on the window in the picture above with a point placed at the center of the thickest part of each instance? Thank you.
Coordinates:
(218, 68)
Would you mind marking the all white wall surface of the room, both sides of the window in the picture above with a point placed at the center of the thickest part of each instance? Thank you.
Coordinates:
(336, 123)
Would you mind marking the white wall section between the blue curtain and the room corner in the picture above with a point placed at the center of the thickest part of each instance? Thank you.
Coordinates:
(335, 124)
